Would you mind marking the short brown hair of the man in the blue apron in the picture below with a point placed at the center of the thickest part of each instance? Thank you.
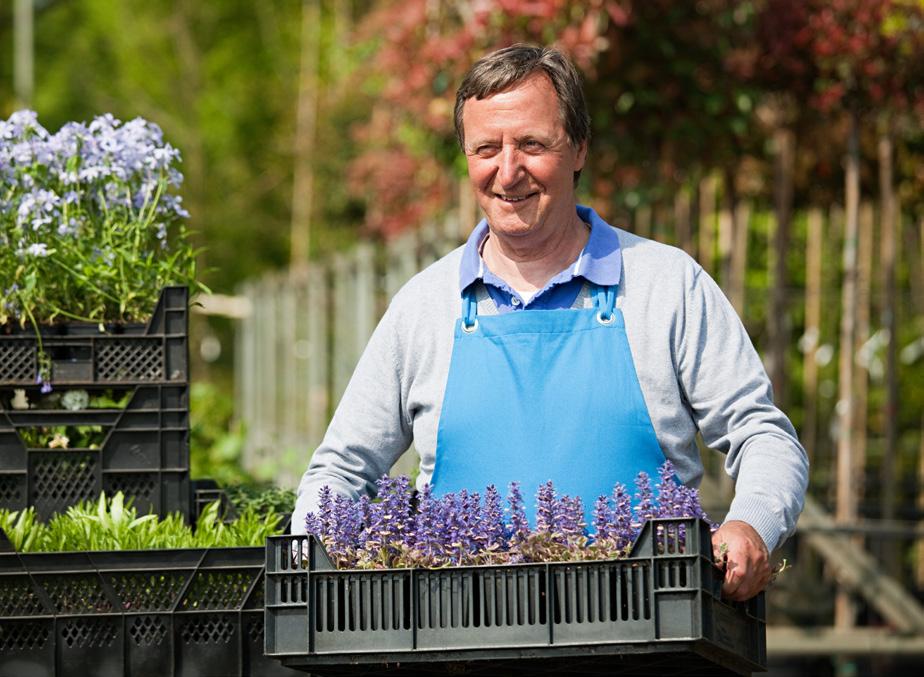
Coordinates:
(507, 67)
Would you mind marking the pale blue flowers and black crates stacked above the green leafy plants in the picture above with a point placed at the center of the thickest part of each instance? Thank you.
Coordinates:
(97, 267)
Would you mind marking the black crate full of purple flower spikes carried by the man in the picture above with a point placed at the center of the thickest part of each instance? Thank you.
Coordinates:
(460, 580)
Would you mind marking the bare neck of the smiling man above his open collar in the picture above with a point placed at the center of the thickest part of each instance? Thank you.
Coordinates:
(528, 263)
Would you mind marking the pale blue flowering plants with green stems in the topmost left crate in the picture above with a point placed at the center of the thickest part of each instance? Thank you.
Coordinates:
(91, 225)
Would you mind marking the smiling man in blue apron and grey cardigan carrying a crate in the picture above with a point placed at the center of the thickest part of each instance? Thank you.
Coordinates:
(554, 346)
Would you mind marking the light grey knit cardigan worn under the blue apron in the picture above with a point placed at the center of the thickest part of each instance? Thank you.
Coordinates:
(697, 368)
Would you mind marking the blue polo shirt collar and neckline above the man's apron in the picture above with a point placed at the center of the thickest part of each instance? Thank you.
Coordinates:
(600, 262)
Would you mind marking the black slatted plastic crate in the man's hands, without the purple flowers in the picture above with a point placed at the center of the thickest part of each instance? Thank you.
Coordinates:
(658, 611)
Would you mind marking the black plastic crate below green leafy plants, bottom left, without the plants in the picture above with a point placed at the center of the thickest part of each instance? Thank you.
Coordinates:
(170, 613)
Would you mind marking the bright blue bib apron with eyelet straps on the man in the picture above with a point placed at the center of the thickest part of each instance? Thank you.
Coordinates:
(540, 395)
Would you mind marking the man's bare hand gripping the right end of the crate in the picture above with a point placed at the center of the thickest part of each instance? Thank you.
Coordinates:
(740, 552)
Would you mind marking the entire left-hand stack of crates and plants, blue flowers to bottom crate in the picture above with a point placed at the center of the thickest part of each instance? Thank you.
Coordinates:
(97, 268)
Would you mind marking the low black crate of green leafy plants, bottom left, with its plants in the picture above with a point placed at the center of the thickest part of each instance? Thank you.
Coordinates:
(100, 590)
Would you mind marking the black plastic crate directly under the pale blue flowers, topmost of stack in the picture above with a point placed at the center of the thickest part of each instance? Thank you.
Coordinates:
(120, 354)
